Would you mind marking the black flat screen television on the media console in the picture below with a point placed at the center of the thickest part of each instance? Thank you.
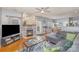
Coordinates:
(8, 30)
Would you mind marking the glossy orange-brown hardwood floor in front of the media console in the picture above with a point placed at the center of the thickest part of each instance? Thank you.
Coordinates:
(15, 46)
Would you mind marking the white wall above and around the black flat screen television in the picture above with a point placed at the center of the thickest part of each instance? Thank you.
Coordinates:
(9, 16)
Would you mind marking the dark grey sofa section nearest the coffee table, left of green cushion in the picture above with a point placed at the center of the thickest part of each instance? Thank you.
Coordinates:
(56, 37)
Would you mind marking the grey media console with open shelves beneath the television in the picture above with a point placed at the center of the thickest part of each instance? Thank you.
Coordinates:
(9, 39)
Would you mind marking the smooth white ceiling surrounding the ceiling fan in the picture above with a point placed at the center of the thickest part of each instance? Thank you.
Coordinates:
(53, 11)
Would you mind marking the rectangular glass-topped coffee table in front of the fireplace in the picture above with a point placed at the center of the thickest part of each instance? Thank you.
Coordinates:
(34, 41)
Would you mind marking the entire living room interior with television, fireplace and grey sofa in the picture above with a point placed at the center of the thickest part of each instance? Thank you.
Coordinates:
(39, 29)
